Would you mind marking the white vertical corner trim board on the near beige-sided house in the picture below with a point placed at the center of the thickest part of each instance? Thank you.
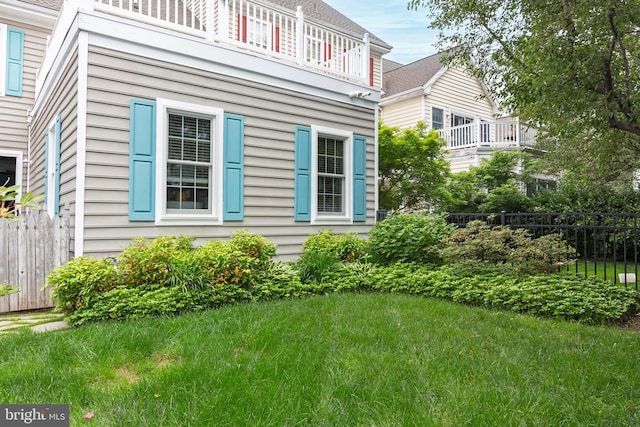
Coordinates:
(81, 144)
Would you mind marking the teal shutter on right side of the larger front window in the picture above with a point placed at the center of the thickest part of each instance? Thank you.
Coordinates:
(233, 175)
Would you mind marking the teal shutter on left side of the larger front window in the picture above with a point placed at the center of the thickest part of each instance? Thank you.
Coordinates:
(142, 170)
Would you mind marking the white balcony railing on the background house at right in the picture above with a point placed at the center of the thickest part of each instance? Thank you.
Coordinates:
(501, 133)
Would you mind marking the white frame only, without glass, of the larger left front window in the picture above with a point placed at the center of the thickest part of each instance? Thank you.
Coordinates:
(164, 107)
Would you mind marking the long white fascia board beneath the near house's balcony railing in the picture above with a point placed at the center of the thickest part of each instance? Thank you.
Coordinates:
(165, 45)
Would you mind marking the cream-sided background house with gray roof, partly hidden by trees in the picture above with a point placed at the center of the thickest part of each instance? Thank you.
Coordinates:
(455, 104)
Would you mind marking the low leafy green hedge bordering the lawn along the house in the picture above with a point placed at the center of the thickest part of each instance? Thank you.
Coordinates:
(168, 275)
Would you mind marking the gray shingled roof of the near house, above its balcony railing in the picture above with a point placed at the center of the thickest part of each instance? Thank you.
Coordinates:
(314, 9)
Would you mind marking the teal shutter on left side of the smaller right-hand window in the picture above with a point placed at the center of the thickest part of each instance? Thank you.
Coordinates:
(302, 182)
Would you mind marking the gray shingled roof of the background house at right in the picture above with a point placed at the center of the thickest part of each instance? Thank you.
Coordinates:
(397, 79)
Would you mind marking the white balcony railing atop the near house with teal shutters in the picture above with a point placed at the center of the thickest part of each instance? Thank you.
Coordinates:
(251, 25)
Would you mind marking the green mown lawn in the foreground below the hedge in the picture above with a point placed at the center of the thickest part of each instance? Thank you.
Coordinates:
(342, 359)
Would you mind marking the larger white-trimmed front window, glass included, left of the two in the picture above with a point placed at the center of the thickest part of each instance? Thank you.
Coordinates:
(189, 163)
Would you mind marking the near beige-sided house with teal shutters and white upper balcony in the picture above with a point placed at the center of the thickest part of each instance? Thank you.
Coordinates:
(195, 117)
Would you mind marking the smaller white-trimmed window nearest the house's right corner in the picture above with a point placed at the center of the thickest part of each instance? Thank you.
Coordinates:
(332, 183)
